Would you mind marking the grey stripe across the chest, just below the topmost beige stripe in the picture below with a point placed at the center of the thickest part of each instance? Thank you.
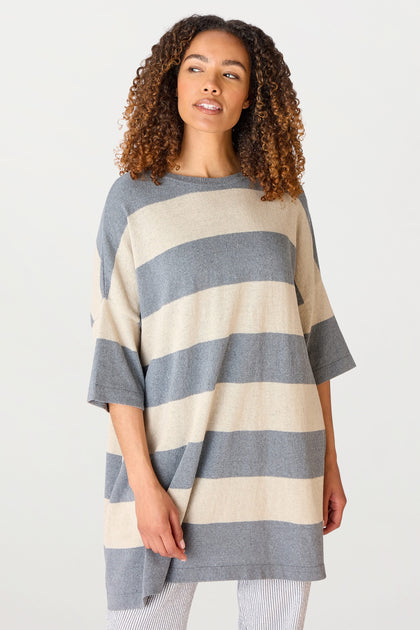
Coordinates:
(218, 260)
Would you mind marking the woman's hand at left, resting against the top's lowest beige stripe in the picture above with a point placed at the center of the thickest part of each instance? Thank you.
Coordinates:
(158, 522)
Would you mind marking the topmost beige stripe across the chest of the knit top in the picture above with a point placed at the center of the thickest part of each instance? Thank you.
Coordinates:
(225, 211)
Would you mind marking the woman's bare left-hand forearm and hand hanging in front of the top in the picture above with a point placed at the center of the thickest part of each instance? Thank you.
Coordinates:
(157, 515)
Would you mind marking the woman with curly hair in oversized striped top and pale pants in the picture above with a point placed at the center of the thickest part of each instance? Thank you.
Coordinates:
(215, 340)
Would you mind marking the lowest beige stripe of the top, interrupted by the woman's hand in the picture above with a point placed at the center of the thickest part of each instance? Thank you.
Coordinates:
(228, 500)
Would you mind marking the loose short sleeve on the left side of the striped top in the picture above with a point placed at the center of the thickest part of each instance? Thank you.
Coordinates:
(117, 374)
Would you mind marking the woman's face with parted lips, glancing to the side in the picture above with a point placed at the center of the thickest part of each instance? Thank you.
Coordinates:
(213, 82)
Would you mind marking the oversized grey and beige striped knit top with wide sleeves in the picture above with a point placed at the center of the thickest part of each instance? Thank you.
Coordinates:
(210, 314)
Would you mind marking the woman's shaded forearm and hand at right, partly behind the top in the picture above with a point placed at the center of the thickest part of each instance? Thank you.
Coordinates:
(334, 497)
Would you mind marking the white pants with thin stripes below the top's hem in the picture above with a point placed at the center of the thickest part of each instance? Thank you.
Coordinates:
(268, 604)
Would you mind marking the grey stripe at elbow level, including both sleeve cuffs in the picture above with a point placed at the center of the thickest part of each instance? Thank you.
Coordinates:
(238, 359)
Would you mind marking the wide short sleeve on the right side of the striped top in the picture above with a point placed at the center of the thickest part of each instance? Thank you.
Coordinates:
(327, 349)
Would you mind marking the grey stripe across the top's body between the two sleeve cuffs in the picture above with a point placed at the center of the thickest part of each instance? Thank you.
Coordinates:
(238, 358)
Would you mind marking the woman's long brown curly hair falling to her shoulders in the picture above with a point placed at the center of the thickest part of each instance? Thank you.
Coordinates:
(267, 137)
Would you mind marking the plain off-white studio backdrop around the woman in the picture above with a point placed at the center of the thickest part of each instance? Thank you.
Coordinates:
(66, 71)
